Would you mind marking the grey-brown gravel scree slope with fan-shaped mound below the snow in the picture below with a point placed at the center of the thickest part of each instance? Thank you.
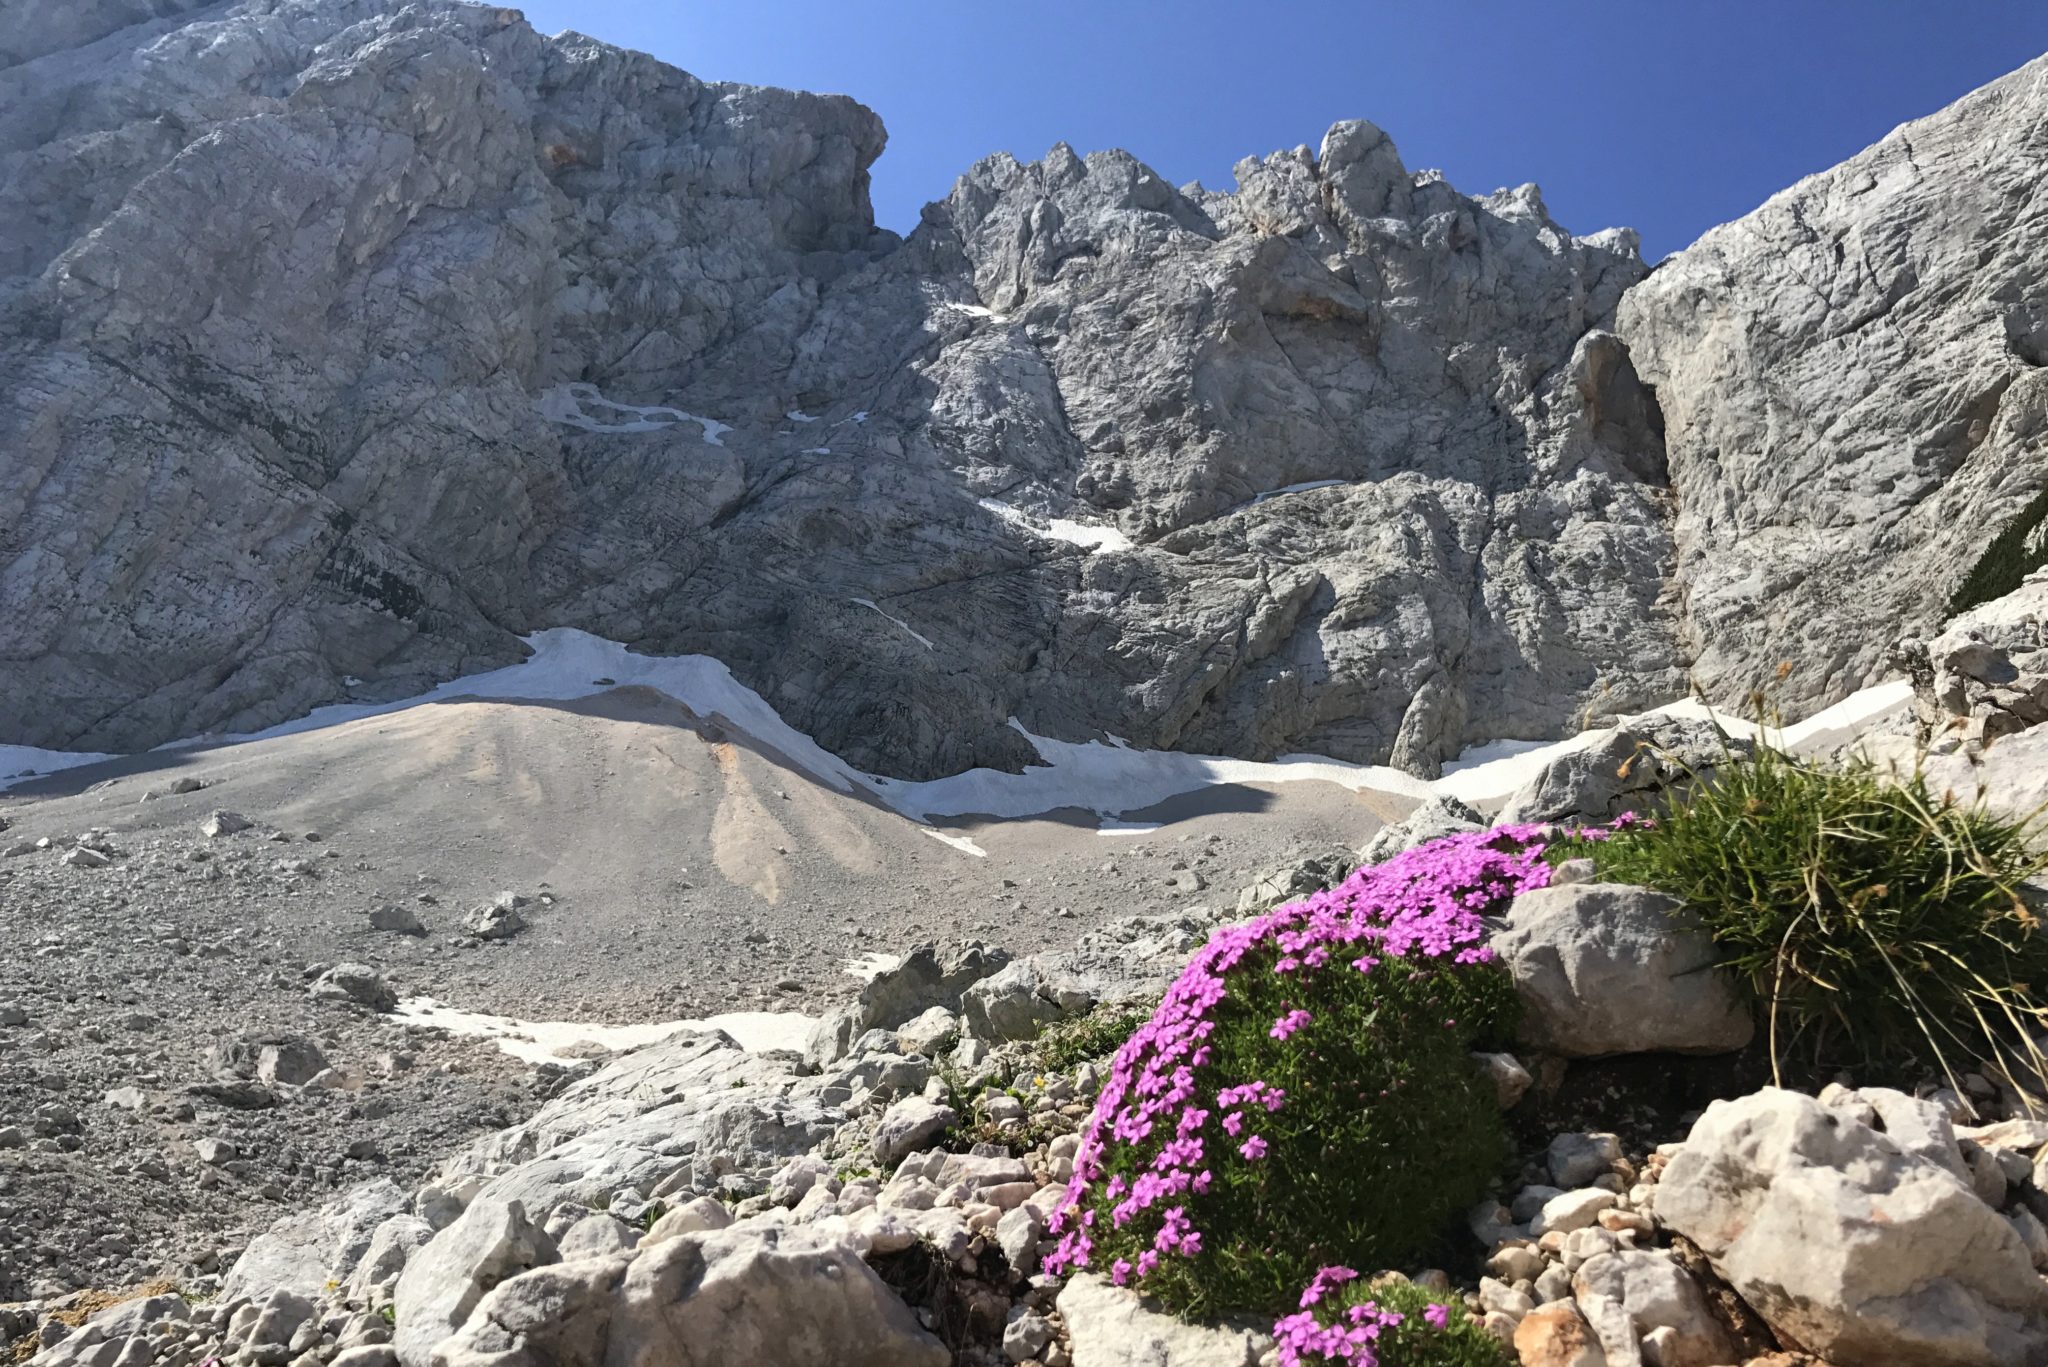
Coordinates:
(601, 864)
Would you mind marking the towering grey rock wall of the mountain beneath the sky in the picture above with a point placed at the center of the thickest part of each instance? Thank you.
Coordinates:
(343, 343)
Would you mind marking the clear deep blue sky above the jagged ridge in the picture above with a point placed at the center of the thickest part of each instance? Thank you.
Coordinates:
(1668, 116)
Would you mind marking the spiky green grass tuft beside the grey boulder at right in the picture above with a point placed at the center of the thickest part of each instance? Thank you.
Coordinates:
(1873, 919)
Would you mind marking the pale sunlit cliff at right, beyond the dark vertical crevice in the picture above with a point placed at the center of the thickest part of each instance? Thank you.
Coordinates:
(1852, 380)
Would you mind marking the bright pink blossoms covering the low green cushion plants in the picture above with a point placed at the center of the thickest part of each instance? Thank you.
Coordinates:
(1164, 1108)
